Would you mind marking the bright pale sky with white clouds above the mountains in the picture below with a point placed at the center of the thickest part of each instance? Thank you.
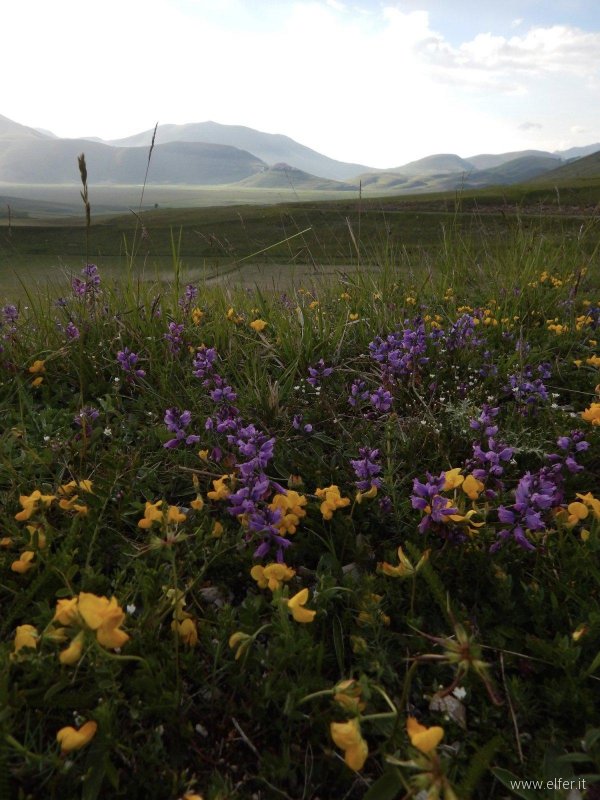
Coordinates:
(372, 82)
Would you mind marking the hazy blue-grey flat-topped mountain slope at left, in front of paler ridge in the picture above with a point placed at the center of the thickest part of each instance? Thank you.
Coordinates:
(55, 161)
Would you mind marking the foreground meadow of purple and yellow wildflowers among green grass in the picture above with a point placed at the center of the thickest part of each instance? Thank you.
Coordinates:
(339, 542)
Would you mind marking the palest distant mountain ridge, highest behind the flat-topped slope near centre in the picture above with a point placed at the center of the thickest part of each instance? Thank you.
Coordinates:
(269, 147)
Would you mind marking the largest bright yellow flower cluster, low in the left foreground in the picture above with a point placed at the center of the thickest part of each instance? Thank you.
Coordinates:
(88, 612)
